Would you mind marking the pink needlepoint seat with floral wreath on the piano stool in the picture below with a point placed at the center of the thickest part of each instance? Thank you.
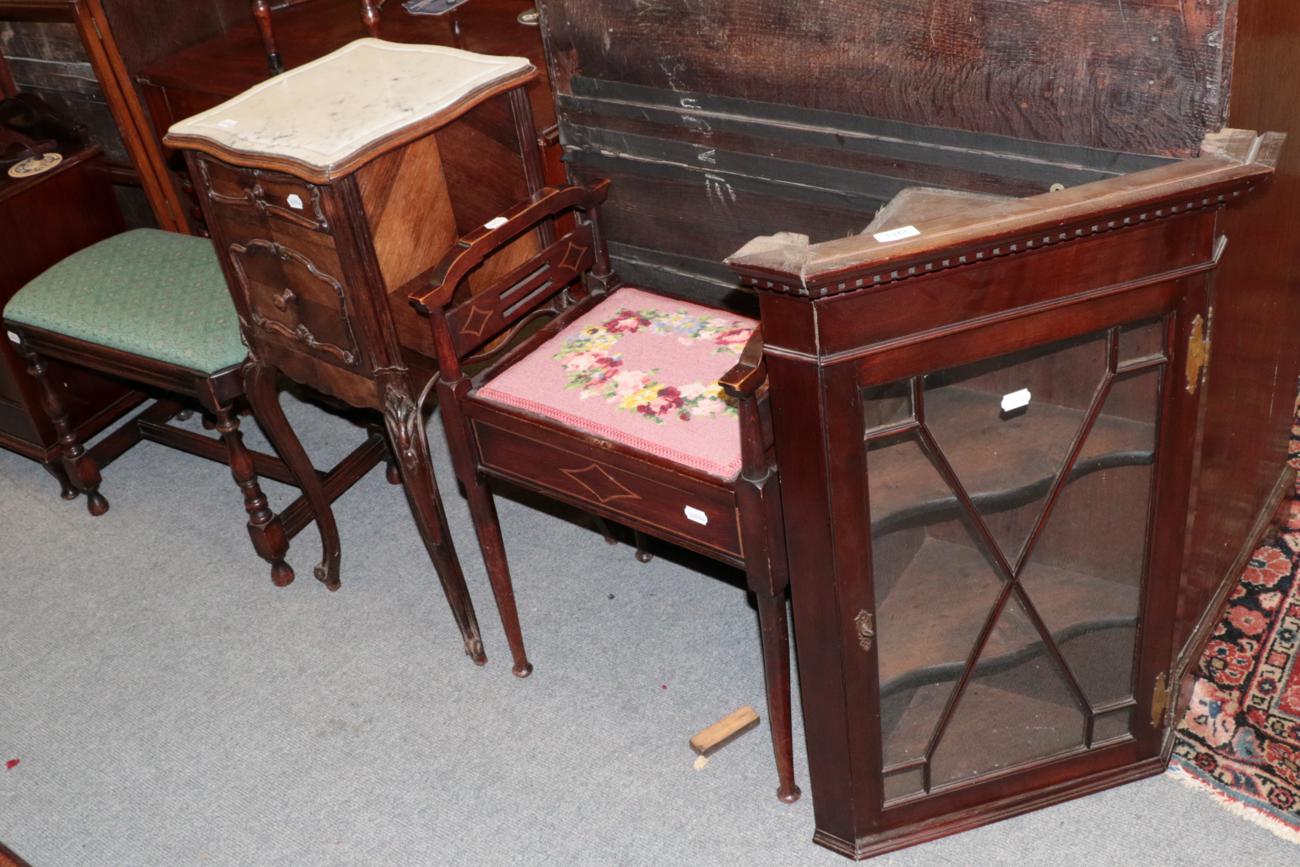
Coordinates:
(639, 370)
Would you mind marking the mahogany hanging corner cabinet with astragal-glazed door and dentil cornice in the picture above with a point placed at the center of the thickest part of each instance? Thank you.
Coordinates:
(987, 492)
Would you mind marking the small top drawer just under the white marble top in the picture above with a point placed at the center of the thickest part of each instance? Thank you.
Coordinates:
(254, 193)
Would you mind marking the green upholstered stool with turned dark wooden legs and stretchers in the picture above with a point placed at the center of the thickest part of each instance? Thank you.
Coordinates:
(153, 307)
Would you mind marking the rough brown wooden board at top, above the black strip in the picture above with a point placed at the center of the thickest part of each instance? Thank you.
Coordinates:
(1139, 76)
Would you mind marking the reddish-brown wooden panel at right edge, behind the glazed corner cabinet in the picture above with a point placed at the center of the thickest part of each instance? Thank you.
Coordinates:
(1251, 387)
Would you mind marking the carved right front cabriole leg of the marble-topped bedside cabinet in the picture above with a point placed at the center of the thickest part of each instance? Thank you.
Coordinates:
(410, 444)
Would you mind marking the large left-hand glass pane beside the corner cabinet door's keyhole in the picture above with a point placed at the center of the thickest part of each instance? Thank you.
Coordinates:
(922, 550)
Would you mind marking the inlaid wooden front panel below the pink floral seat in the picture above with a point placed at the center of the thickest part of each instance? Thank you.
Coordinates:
(586, 476)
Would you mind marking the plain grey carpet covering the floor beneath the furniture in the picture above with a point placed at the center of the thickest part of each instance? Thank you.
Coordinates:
(170, 706)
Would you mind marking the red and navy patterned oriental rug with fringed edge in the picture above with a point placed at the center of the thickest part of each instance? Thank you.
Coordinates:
(1241, 736)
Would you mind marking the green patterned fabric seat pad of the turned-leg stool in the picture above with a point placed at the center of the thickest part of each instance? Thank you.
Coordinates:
(157, 294)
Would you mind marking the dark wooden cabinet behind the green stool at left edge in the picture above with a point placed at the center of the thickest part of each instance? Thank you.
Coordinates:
(45, 219)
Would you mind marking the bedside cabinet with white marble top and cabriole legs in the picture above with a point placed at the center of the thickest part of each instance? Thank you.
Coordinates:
(331, 192)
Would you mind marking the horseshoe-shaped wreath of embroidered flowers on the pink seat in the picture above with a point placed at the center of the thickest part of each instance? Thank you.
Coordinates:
(597, 370)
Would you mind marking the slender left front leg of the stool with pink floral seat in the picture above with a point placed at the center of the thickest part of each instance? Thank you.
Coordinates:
(483, 510)
